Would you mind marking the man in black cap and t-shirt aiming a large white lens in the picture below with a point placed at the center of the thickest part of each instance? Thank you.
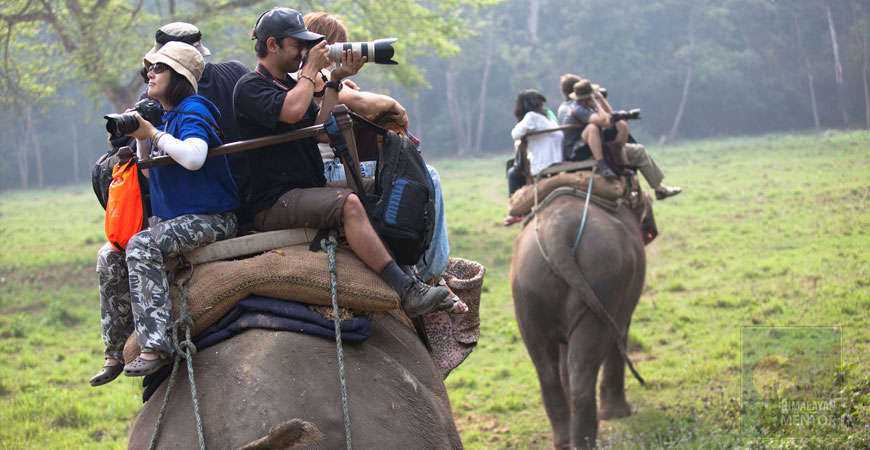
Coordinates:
(287, 188)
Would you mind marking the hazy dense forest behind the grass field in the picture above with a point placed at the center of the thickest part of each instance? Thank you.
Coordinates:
(697, 68)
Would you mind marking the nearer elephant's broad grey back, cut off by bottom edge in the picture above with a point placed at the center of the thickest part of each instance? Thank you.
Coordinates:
(276, 389)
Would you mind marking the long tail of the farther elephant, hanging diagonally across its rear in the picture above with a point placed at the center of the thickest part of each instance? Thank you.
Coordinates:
(563, 264)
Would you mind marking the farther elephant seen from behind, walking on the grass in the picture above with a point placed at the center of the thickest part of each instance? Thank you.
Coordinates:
(553, 287)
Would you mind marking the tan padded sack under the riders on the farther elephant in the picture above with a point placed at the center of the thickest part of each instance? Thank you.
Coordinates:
(523, 200)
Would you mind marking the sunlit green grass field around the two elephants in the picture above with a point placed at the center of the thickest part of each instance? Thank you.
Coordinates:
(771, 232)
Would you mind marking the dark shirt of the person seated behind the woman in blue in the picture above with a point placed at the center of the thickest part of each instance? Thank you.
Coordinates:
(216, 84)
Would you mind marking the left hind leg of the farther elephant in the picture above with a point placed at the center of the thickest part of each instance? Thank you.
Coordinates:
(546, 356)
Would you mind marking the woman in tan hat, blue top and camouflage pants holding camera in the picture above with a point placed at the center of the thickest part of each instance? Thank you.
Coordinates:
(193, 204)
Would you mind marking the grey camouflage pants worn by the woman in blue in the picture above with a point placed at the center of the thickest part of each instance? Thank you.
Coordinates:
(134, 288)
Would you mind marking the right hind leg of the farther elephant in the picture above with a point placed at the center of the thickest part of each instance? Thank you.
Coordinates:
(587, 348)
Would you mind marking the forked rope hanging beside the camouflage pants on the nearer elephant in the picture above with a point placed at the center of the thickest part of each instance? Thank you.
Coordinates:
(184, 349)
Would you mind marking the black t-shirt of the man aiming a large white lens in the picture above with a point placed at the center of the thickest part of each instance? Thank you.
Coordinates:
(272, 171)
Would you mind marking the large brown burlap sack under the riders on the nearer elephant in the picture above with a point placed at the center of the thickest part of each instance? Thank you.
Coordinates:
(290, 273)
